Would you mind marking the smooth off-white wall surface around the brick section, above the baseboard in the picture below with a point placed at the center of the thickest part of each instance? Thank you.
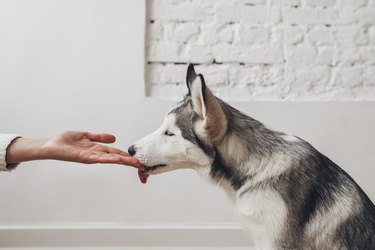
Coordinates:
(79, 65)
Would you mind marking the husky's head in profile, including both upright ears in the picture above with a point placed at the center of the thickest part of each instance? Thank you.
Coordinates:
(188, 135)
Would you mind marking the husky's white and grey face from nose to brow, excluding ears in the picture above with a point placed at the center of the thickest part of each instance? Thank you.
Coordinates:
(172, 146)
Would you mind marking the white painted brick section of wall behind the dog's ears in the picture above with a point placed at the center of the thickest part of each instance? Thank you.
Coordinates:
(314, 50)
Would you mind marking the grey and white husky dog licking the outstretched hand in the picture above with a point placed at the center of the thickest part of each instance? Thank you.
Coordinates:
(287, 194)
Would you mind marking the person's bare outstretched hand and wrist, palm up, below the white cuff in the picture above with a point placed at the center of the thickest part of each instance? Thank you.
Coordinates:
(74, 146)
